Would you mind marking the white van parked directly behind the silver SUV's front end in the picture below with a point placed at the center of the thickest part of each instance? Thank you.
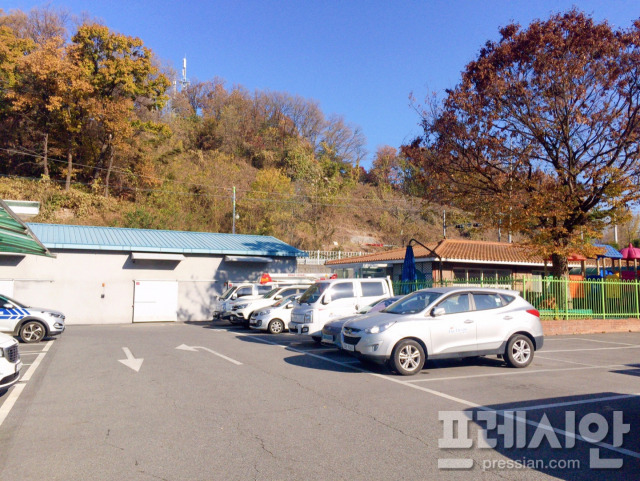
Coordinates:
(328, 300)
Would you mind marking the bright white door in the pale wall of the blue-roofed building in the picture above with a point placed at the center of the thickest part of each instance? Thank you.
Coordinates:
(155, 301)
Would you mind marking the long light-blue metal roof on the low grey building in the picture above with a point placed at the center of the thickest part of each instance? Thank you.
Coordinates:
(77, 237)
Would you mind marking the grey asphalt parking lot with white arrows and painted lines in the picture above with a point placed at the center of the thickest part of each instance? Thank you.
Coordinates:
(202, 402)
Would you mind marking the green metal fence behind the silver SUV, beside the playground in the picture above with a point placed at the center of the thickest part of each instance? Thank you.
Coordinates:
(558, 298)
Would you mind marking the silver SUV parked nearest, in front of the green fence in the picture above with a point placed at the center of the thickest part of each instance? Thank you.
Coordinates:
(444, 323)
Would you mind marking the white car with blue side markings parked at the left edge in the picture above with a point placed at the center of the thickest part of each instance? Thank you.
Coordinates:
(30, 324)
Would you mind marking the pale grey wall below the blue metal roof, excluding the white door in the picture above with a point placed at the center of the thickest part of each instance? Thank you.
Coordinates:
(97, 287)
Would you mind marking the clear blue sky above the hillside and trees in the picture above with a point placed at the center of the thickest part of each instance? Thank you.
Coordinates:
(360, 59)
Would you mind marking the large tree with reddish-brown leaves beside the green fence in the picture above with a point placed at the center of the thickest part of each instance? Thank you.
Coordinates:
(542, 133)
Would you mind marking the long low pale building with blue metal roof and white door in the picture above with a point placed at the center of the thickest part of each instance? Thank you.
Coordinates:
(105, 275)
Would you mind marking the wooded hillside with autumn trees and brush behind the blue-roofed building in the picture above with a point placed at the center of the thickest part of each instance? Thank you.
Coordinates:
(91, 126)
